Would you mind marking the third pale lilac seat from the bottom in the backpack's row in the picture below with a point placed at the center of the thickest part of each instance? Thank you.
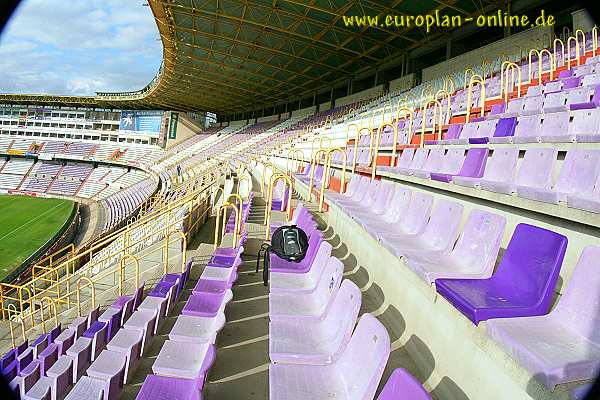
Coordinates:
(311, 307)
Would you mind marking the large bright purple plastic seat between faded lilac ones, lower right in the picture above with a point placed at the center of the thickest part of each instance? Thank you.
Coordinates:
(523, 284)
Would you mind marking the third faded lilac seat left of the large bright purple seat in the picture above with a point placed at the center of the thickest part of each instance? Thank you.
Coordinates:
(408, 217)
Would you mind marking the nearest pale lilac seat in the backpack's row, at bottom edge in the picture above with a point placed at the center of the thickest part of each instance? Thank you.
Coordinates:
(355, 375)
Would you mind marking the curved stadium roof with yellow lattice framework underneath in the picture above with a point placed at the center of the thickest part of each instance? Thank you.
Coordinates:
(230, 56)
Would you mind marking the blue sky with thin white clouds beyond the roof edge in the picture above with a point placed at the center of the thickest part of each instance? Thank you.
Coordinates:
(78, 47)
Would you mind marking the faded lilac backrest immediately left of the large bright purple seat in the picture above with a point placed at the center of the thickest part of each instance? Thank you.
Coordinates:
(480, 240)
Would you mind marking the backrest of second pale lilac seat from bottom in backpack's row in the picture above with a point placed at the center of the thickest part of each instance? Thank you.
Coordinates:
(341, 317)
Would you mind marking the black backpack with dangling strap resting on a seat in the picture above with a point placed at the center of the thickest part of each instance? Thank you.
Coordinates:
(288, 242)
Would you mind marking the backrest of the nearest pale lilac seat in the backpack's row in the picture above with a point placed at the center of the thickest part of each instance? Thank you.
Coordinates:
(364, 359)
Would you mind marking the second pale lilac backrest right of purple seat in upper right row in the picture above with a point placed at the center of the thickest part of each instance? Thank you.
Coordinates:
(537, 168)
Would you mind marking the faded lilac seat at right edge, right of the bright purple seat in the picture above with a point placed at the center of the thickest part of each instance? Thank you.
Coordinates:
(563, 346)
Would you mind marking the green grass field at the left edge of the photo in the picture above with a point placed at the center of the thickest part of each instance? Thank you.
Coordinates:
(26, 223)
